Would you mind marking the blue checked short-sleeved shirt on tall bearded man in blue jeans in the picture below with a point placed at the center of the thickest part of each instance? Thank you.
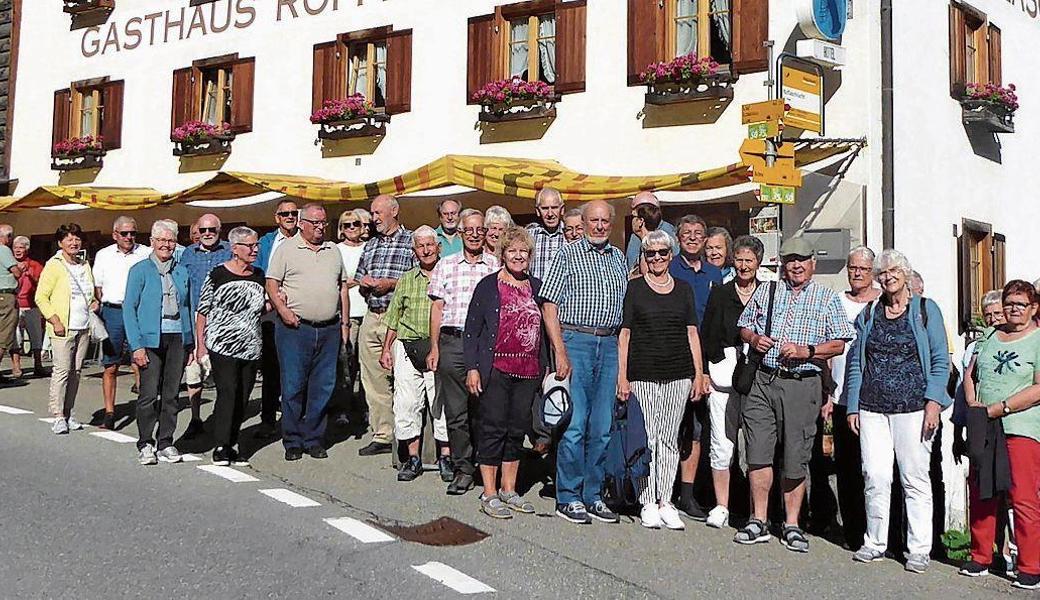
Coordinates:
(588, 285)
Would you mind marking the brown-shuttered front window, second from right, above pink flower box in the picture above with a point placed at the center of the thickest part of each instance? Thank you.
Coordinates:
(537, 41)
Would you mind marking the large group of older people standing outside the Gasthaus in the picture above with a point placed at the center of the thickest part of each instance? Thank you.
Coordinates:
(459, 326)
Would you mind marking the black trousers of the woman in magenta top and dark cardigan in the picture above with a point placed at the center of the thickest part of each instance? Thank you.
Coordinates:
(505, 418)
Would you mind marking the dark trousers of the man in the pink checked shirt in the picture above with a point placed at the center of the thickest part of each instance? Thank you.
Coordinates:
(459, 405)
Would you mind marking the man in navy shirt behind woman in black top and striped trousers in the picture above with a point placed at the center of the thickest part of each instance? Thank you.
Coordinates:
(692, 268)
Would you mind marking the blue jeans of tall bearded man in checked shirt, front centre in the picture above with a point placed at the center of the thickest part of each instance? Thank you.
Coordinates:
(581, 461)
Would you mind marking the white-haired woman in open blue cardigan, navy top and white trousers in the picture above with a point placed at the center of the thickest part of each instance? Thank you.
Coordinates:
(897, 380)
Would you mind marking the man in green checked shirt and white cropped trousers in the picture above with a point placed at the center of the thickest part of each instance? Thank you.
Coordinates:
(405, 352)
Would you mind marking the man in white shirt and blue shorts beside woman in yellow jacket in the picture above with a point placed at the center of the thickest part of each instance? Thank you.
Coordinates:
(112, 268)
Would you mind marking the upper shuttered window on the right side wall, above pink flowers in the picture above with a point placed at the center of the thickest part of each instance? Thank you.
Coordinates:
(975, 49)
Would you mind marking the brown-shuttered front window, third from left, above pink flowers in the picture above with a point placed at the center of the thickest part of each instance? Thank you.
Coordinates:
(376, 63)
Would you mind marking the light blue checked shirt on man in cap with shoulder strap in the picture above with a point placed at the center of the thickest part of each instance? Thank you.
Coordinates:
(814, 316)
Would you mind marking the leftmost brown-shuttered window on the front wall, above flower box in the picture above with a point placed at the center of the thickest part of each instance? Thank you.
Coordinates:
(91, 108)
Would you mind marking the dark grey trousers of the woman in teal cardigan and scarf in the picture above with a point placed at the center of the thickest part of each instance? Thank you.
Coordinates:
(161, 382)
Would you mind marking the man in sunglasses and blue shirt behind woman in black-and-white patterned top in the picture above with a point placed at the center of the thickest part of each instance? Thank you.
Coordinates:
(199, 259)
